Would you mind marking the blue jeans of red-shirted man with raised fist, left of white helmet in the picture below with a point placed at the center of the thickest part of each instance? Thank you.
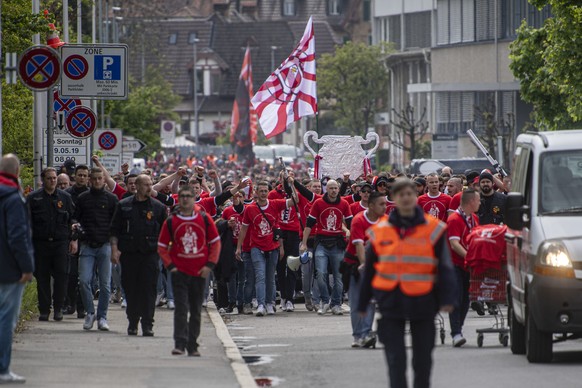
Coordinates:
(265, 264)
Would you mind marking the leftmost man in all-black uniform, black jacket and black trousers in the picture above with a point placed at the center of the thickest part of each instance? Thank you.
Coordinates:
(51, 212)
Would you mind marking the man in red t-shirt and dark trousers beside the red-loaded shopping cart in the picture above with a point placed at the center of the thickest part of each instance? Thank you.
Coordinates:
(459, 225)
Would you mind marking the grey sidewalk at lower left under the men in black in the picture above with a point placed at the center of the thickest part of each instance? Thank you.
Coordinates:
(62, 354)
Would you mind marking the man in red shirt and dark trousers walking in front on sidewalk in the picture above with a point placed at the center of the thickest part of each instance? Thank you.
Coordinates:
(189, 247)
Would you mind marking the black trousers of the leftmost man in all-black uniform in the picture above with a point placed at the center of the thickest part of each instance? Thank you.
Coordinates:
(51, 260)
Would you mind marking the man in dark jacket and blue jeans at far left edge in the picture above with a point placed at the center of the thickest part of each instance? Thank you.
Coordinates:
(16, 260)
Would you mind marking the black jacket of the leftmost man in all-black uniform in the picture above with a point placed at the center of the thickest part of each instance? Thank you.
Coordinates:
(51, 215)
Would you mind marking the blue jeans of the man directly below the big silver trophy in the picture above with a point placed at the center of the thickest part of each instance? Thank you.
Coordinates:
(325, 257)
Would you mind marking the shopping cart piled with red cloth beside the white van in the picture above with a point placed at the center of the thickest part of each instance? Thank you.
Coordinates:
(488, 270)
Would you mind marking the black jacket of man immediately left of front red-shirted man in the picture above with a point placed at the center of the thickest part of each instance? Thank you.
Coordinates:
(137, 224)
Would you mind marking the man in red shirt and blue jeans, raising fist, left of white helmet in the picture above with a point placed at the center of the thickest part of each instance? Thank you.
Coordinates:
(261, 221)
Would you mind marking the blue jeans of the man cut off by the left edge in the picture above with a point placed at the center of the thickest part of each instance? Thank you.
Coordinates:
(10, 300)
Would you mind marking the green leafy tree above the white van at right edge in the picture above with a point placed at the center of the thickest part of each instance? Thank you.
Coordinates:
(547, 63)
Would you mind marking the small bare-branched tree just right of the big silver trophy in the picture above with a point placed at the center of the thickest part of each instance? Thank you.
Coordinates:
(409, 131)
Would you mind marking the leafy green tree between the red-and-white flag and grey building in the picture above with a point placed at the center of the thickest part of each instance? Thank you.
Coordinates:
(353, 82)
